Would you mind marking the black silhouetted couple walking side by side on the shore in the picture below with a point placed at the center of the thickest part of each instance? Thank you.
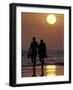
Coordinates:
(37, 49)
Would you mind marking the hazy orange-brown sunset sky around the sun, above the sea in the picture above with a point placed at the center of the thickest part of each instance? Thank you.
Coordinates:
(36, 25)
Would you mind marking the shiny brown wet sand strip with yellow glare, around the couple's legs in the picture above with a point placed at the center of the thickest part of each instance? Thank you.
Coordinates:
(49, 70)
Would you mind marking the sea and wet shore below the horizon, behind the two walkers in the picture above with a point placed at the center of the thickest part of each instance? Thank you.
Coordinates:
(53, 66)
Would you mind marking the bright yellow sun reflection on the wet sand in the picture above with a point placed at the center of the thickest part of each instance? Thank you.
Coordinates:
(51, 70)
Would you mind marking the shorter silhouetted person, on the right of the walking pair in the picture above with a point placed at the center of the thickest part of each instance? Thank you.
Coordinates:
(42, 54)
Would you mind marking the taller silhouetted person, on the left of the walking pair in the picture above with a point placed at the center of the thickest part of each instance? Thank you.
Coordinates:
(33, 53)
